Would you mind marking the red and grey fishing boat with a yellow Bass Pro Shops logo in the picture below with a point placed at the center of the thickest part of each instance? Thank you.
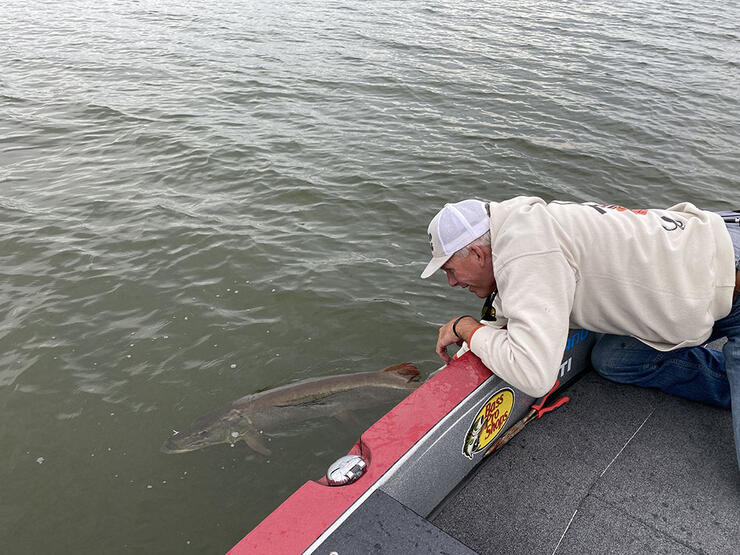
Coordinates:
(616, 470)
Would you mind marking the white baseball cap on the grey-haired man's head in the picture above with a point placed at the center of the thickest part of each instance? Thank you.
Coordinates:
(454, 227)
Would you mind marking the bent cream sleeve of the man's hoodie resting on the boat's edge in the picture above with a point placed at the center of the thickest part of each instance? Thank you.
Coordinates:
(536, 293)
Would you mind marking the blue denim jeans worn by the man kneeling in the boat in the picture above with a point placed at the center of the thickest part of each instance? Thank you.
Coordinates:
(696, 373)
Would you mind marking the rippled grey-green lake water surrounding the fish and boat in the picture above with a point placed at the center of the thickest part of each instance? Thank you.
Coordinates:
(203, 200)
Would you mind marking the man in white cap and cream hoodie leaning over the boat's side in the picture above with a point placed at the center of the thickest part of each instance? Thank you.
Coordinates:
(658, 284)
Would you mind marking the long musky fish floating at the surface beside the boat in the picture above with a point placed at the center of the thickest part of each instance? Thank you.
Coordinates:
(248, 418)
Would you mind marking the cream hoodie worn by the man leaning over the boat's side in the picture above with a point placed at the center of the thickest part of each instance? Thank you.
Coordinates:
(661, 276)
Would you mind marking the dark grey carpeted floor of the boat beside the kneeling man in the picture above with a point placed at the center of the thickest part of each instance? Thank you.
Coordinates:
(619, 469)
